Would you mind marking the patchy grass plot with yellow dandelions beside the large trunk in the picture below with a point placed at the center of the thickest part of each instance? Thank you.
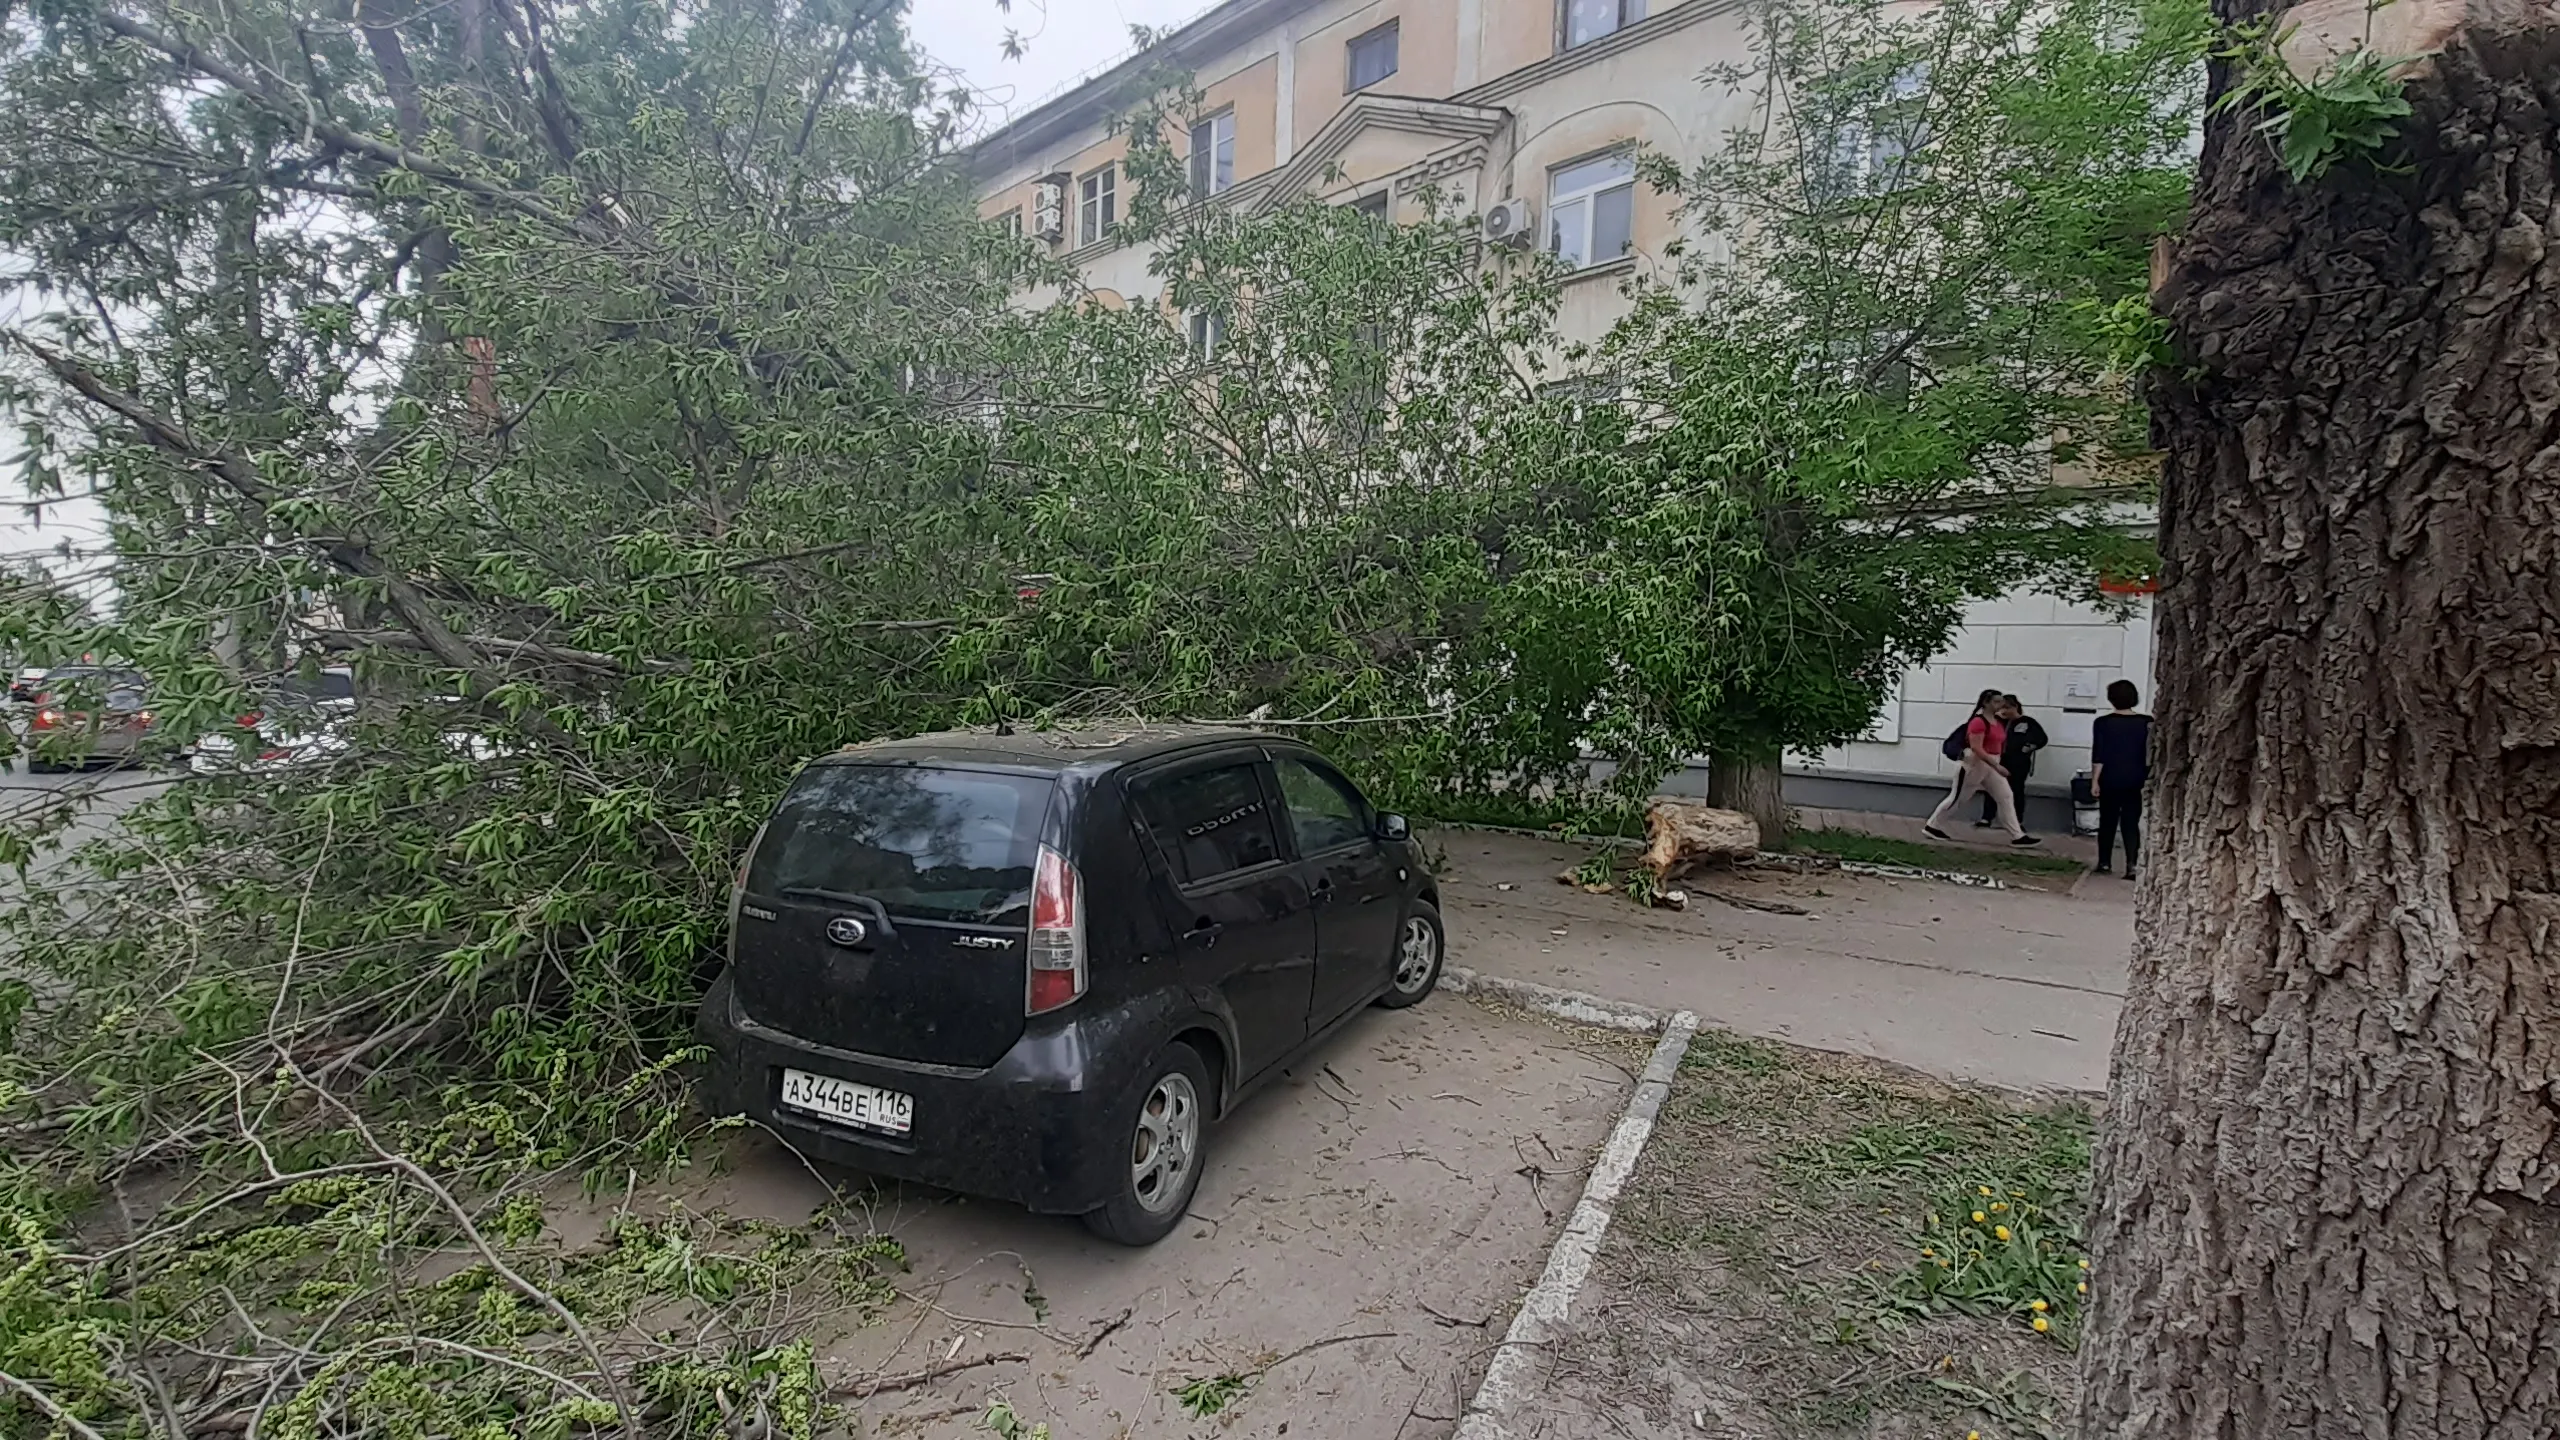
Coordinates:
(1763, 1275)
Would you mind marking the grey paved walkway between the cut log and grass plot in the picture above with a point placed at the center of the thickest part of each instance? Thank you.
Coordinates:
(1996, 985)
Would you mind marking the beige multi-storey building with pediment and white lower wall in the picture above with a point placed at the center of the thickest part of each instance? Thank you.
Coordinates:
(1527, 114)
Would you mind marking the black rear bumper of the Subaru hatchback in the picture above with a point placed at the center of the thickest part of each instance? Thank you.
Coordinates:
(1033, 1129)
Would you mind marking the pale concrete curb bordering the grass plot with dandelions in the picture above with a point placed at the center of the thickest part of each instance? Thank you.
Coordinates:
(1512, 1380)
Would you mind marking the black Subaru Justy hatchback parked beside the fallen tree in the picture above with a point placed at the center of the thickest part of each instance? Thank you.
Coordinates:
(1038, 967)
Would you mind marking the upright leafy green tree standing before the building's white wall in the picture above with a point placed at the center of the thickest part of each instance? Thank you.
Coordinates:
(1891, 378)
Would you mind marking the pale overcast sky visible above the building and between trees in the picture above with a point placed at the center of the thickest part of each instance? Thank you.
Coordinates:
(1061, 40)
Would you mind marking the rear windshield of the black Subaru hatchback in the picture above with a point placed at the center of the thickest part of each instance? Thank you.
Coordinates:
(936, 844)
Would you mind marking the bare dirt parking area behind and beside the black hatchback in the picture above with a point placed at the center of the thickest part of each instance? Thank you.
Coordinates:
(1361, 1241)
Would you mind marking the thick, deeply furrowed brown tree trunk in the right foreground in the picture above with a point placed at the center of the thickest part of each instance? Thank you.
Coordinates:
(2328, 1188)
